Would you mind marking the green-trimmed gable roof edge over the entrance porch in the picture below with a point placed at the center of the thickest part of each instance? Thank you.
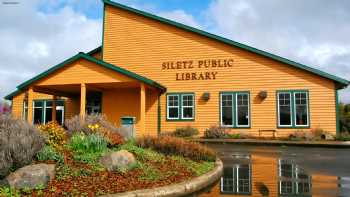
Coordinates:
(84, 56)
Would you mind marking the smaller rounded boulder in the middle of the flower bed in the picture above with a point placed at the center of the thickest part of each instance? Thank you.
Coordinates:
(118, 160)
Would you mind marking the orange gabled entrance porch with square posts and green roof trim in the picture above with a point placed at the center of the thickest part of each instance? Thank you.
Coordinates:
(93, 86)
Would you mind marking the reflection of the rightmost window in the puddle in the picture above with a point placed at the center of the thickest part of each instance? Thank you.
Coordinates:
(292, 179)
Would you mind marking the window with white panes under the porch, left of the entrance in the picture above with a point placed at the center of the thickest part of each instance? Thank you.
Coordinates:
(42, 112)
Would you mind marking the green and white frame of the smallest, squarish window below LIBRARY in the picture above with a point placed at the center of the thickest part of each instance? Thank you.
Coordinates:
(180, 106)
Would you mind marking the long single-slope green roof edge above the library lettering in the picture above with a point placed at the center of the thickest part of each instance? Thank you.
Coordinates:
(340, 81)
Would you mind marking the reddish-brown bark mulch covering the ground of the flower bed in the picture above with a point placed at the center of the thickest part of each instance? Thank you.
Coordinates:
(104, 182)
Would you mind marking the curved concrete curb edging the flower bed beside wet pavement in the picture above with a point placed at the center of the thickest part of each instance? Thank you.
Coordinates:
(179, 189)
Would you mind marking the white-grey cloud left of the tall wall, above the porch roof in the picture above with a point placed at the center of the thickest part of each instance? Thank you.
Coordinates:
(34, 39)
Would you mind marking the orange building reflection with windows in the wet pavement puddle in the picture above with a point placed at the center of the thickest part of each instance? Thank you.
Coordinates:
(262, 175)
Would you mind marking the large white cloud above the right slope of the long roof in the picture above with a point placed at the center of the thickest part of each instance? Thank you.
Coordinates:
(313, 32)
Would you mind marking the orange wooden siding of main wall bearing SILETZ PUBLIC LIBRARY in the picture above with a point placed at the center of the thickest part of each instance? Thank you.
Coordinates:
(141, 45)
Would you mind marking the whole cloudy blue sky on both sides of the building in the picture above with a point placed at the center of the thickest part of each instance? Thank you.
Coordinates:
(38, 34)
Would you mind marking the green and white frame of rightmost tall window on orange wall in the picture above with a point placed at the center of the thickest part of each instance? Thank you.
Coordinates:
(293, 109)
